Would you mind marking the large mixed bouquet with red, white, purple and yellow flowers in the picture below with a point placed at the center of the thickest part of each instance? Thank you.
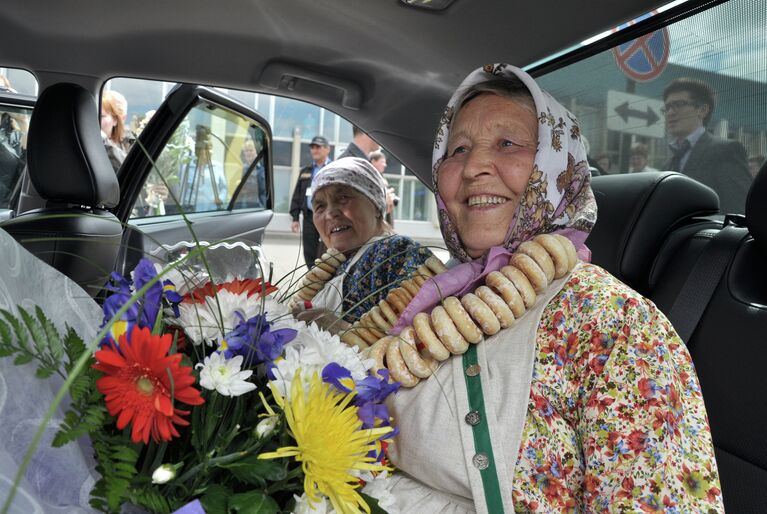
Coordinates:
(205, 393)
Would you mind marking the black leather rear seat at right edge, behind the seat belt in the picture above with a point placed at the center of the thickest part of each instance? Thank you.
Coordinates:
(729, 349)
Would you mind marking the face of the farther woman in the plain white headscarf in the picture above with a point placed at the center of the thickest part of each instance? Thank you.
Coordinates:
(344, 217)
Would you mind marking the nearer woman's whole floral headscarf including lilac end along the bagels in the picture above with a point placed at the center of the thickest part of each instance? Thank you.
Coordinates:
(558, 197)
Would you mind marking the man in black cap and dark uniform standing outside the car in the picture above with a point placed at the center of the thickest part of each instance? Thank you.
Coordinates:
(301, 202)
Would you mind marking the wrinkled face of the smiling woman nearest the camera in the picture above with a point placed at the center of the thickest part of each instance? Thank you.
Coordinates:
(490, 156)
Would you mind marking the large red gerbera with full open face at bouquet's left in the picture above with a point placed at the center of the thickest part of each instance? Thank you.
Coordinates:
(139, 378)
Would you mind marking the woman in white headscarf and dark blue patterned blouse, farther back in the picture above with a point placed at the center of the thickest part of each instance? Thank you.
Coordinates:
(349, 204)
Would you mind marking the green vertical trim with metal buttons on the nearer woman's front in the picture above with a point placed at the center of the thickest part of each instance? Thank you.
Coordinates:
(483, 459)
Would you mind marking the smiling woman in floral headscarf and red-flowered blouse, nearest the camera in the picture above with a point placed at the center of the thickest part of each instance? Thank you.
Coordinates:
(589, 402)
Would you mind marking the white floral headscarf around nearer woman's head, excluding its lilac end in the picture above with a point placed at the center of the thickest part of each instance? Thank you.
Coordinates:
(558, 197)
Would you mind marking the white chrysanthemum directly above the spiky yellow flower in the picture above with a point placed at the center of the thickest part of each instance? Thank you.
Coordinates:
(311, 351)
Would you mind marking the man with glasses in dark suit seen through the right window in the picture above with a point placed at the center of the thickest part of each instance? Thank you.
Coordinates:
(718, 163)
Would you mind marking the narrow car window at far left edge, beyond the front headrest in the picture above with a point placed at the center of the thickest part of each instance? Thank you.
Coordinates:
(17, 89)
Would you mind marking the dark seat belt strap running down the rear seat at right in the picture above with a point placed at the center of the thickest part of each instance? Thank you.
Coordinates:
(705, 276)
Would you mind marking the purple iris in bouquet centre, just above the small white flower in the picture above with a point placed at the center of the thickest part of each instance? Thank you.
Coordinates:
(256, 341)
